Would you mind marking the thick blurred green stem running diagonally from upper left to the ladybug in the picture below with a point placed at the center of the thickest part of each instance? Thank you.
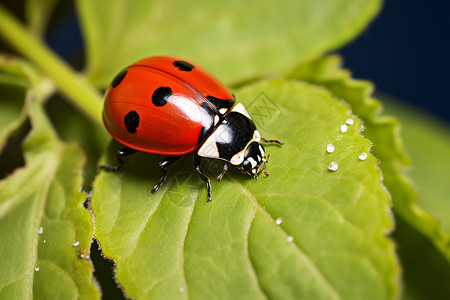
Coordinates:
(72, 84)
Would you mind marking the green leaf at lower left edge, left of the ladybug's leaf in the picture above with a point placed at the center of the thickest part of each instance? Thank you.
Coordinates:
(41, 217)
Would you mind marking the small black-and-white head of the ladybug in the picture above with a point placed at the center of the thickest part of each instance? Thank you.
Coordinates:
(254, 160)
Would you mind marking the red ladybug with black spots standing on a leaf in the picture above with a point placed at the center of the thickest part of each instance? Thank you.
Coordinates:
(171, 106)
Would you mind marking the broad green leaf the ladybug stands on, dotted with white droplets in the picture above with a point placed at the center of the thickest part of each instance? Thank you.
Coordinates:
(331, 243)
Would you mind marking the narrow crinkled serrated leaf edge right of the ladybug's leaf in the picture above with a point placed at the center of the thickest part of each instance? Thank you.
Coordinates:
(384, 132)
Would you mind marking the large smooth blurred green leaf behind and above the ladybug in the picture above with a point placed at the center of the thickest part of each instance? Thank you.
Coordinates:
(235, 39)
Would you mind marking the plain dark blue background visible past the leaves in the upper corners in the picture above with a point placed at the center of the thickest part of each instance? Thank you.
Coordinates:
(405, 51)
